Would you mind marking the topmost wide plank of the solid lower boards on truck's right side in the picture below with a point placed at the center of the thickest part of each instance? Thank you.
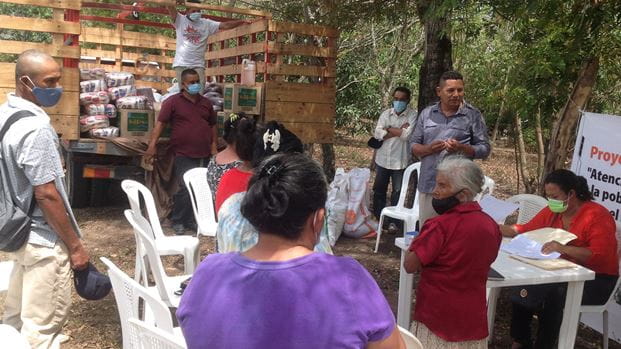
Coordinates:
(294, 92)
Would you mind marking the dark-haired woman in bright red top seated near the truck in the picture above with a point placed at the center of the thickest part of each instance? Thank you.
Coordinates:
(236, 179)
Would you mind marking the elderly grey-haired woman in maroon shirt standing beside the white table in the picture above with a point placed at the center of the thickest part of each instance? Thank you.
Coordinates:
(454, 252)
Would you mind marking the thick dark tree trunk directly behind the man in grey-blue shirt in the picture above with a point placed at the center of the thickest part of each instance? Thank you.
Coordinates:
(438, 52)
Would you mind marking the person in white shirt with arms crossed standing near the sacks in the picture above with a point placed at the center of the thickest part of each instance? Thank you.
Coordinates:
(393, 127)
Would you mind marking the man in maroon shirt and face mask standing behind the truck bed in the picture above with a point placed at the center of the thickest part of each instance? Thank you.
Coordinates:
(193, 140)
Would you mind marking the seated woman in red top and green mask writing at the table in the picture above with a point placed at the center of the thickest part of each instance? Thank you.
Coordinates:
(570, 207)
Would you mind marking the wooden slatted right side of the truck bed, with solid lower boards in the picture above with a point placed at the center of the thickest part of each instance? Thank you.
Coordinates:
(296, 63)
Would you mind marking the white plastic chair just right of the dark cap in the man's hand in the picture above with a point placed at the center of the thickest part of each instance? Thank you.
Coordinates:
(128, 294)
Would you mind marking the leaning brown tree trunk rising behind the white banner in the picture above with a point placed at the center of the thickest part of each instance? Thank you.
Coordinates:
(562, 134)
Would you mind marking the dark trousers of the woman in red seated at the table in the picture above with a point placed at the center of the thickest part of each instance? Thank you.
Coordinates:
(550, 315)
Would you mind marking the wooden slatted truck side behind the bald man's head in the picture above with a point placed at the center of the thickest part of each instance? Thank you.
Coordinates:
(64, 115)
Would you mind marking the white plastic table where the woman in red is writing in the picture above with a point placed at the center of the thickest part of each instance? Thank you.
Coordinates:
(516, 273)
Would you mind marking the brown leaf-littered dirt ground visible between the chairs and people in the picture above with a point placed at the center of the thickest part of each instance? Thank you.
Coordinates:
(96, 324)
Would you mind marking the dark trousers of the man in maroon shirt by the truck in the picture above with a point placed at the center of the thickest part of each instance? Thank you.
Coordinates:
(182, 206)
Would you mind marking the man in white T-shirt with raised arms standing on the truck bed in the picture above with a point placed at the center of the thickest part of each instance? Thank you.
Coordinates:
(192, 31)
